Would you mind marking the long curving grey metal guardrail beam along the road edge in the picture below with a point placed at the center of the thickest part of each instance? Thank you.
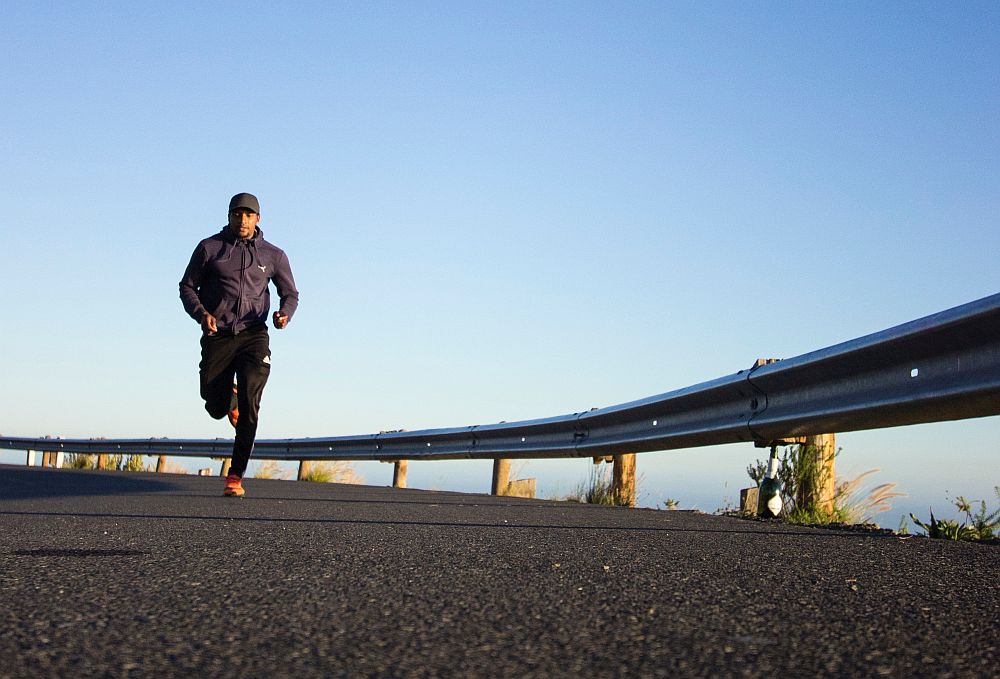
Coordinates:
(942, 367)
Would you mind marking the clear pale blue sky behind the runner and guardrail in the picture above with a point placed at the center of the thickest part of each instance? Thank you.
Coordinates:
(496, 211)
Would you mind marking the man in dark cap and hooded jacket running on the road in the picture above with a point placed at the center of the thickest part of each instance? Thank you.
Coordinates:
(225, 290)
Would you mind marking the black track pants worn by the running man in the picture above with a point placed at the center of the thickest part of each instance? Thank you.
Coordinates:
(247, 356)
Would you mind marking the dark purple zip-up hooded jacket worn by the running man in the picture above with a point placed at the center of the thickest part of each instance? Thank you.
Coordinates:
(228, 277)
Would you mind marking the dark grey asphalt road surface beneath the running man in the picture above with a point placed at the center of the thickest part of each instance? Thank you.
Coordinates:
(123, 575)
